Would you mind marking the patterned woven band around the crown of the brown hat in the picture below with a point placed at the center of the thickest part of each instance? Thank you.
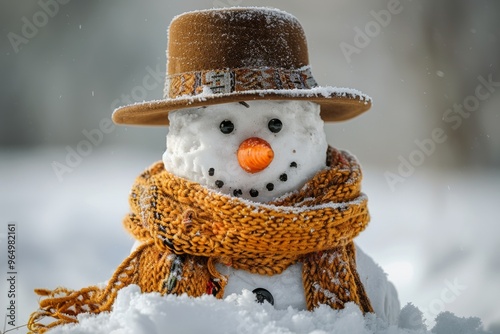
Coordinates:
(237, 80)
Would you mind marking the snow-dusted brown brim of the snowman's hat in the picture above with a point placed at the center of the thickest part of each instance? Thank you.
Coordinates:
(337, 104)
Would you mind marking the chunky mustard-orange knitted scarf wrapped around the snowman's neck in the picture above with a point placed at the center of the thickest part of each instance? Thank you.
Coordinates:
(185, 229)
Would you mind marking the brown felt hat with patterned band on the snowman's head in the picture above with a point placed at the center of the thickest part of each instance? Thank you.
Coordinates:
(239, 54)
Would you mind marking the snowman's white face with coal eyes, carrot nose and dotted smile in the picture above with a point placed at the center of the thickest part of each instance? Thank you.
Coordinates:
(258, 150)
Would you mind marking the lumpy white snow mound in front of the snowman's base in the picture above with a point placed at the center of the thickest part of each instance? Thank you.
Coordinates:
(138, 313)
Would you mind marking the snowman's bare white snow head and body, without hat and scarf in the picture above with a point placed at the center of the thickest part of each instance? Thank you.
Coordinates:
(261, 150)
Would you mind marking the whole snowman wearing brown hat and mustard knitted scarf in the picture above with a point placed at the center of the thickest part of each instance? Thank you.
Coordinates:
(248, 194)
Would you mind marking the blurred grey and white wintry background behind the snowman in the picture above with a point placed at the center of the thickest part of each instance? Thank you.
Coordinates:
(430, 145)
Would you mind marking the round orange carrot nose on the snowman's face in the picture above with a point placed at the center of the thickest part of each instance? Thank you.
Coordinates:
(255, 154)
